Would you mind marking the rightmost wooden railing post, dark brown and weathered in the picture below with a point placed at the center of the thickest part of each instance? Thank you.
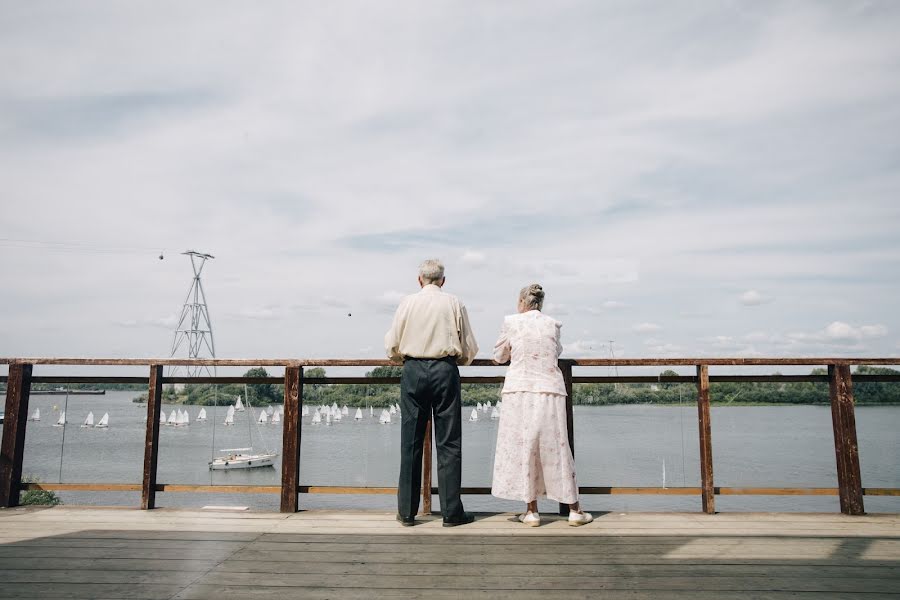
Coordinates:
(846, 448)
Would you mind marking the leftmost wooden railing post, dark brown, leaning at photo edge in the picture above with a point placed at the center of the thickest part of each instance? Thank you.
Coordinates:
(12, 448)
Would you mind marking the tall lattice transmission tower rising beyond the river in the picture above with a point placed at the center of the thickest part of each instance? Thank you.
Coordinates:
(194, 328)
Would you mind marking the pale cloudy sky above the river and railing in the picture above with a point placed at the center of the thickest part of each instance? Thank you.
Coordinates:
(703, 178)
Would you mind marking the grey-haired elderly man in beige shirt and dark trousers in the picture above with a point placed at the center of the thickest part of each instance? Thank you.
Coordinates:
(431, 335)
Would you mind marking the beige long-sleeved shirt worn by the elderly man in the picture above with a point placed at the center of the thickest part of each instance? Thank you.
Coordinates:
(431, 324)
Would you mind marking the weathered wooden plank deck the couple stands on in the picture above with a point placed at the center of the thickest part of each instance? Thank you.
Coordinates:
(69, 552)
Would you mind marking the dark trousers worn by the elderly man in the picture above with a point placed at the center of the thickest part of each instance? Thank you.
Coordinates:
(428, 386)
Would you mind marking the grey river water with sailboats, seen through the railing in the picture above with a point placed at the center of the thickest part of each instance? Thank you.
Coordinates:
(789, 446)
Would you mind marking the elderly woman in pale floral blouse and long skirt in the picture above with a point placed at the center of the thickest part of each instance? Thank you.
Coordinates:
(533, 457)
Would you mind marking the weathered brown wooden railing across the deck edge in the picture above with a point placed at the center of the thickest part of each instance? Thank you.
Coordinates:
(20, 378)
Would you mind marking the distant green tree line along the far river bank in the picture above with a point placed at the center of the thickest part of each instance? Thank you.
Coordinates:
(591, 394)
